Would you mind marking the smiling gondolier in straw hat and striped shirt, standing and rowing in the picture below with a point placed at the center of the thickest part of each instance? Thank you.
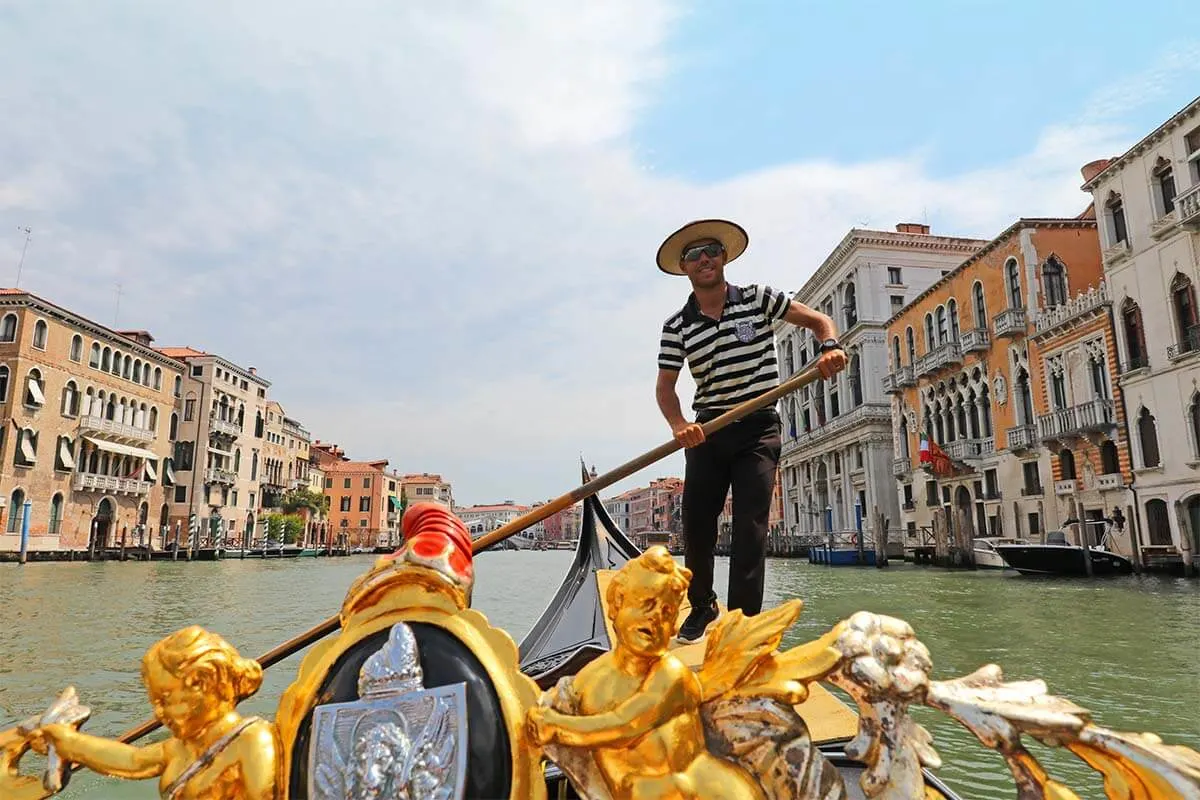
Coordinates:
(724, 334)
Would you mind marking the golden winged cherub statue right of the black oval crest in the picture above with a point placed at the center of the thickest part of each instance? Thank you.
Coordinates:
(634, 723)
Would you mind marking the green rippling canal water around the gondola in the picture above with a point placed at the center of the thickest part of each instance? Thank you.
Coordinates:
(1129, 649)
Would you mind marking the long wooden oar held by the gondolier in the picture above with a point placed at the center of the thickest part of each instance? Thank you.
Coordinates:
(331, 625)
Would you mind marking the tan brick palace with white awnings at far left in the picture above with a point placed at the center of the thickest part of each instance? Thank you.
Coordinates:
(85, 442)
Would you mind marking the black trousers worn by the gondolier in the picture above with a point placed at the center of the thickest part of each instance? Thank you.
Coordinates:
(742, 456)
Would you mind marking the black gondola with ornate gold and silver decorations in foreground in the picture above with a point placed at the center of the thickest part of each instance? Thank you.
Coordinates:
(412, 693)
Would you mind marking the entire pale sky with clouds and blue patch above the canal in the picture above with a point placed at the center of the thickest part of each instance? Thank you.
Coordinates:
(433, 224)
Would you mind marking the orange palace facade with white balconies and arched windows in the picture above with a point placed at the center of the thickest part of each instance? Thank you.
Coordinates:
(999, 365)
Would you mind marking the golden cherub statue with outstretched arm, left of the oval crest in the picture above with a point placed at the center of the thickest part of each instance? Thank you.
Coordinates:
(195, 681)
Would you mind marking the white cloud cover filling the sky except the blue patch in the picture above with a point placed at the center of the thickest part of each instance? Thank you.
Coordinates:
(424, 222)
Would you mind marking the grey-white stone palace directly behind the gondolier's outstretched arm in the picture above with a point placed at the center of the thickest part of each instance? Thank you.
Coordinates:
(837, 449)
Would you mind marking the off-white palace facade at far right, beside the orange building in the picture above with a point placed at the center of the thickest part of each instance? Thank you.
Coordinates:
(1149, 208)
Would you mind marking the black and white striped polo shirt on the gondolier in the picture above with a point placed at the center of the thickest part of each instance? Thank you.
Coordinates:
(734, 359)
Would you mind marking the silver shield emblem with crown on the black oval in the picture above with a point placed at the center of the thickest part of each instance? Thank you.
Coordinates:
(399, 741)
